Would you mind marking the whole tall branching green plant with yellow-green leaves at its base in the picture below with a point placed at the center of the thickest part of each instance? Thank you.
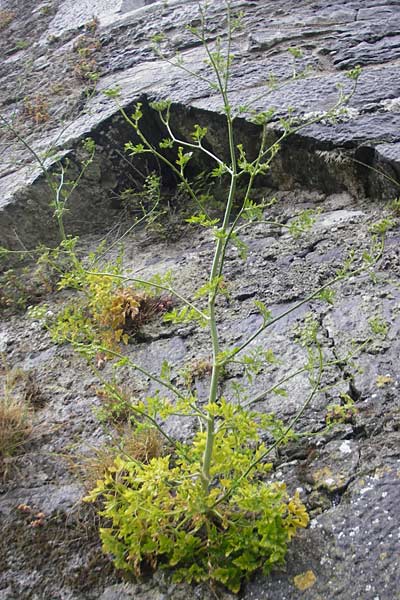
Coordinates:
(206, 509)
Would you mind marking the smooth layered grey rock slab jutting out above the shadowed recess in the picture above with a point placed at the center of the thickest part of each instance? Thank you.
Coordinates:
(51, 91)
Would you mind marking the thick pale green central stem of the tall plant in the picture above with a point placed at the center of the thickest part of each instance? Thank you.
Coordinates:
(216, 270)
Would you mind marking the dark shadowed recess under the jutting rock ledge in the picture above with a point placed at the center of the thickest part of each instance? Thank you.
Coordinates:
(302, 162)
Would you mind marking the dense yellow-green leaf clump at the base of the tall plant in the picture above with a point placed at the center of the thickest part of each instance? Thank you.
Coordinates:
(158, 513)
